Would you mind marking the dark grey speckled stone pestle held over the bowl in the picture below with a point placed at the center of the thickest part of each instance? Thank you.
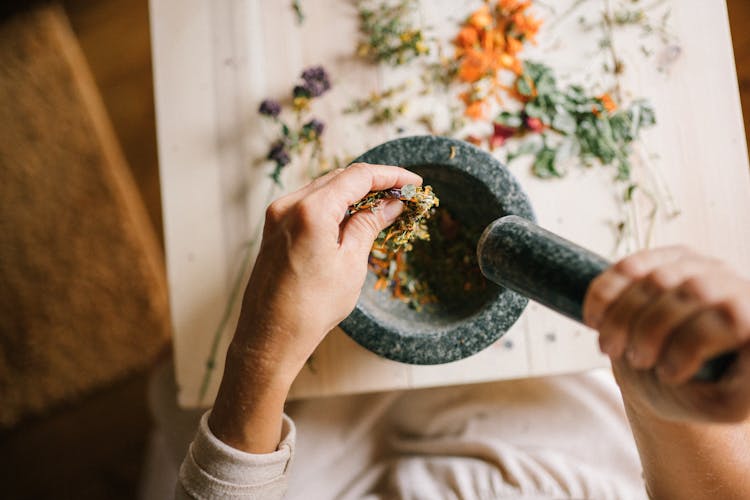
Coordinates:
(517, 254)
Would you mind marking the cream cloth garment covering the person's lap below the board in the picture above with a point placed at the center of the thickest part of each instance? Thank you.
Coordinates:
(558, 435)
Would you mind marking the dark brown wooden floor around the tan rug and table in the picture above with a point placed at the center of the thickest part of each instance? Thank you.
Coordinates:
(93, 449)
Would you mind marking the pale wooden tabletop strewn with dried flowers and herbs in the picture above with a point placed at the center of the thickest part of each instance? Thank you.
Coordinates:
(215, 61)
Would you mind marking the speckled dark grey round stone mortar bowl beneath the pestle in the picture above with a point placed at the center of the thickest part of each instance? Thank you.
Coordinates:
(476, 189)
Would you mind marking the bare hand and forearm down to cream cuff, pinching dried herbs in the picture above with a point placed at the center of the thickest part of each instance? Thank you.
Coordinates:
(307, 277)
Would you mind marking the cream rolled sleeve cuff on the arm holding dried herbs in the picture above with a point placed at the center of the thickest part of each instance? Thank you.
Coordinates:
(213, 469)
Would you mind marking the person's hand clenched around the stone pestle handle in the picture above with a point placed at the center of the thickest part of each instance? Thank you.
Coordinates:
(661, 314)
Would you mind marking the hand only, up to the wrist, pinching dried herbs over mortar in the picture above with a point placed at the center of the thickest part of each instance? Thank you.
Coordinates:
(312, 264)
